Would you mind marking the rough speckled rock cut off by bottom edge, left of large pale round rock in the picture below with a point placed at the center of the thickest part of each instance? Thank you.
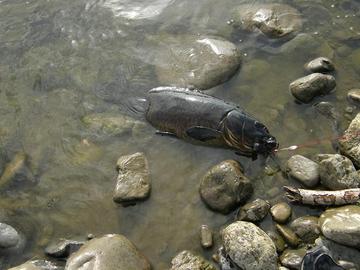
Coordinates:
(185, 260)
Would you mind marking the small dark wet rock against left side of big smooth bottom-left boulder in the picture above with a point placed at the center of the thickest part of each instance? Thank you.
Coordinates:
(63, 248)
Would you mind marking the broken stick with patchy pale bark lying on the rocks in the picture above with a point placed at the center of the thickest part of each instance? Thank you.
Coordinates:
(322, 197)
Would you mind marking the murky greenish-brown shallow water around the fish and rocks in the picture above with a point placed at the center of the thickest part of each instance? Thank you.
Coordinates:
(63, 60)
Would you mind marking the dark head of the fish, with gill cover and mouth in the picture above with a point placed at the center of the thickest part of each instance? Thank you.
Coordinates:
(248, 135)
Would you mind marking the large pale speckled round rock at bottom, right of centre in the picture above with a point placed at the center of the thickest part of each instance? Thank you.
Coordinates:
(249, 247)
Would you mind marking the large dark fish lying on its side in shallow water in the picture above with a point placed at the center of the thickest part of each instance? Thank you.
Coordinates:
(200, 118)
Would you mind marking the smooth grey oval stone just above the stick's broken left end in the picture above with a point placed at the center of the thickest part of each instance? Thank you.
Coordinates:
(304, 170)
